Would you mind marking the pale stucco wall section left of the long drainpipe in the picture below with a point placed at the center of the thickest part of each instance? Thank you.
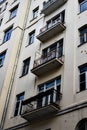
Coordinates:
(11, 46)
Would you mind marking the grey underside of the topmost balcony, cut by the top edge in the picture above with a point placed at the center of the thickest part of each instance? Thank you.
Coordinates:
(52, 7)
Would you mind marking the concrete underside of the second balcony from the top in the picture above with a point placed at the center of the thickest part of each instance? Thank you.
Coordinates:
(51, 32)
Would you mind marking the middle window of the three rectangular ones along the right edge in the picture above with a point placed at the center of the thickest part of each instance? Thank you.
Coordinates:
(83, 35)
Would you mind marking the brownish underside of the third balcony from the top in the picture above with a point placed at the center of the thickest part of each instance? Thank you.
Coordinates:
(47, 67)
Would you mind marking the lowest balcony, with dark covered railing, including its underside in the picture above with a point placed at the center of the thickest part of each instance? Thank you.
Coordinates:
(43, 105)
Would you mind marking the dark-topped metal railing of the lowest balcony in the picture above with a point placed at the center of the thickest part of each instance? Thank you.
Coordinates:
(41, 100)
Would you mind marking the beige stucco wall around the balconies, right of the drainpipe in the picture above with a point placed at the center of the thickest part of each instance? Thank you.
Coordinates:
(73, 57)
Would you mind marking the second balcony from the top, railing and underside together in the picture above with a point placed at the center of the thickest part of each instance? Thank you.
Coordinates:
(49, 31)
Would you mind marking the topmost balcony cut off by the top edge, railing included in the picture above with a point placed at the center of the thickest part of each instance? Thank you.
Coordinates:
(51, 5)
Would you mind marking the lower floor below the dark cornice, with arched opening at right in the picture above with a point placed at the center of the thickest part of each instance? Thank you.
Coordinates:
(73, 119)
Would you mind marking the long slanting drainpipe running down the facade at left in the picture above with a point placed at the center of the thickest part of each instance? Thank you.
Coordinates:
(14, 69)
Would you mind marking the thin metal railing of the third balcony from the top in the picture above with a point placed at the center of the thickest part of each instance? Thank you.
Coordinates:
(50, 55)
